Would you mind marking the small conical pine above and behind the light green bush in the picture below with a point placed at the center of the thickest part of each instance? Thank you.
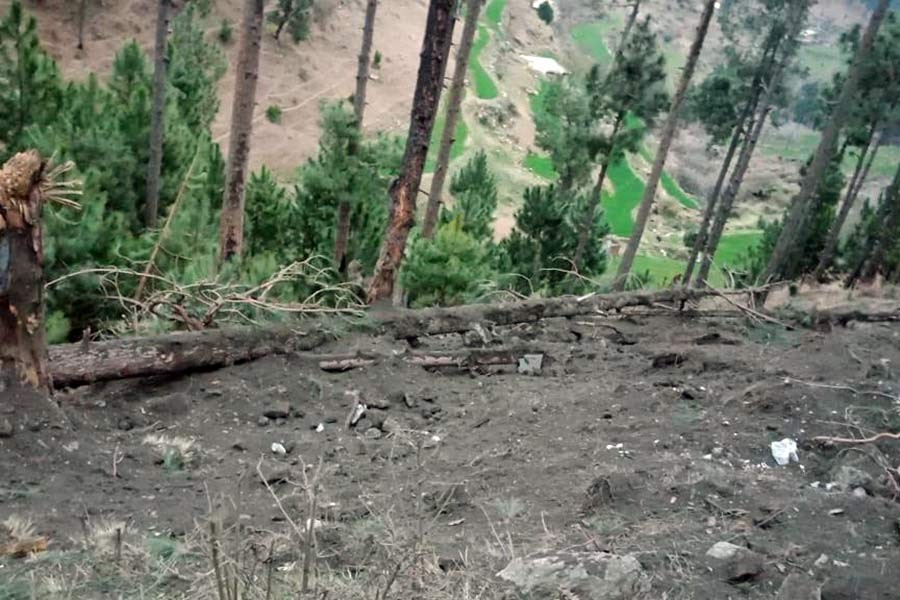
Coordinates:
(474, 189)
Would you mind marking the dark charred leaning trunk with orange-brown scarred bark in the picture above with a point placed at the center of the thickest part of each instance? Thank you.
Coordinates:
(403, 192)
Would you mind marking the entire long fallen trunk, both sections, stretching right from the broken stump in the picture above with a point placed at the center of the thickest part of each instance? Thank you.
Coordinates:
(173, 354)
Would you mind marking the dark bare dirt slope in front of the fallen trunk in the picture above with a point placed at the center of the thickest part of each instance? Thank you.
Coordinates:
(644, 434)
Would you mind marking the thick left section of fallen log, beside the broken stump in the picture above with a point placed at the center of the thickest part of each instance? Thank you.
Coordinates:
(172, 354)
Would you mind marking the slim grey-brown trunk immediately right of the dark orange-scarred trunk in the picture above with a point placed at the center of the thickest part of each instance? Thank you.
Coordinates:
(454, 106)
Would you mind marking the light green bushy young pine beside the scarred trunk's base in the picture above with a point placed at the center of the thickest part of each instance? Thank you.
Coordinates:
(446, 270)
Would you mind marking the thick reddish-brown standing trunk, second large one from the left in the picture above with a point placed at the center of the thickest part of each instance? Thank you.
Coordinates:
(231, 235)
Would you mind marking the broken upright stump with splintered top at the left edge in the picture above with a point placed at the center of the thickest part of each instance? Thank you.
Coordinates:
(23, 348)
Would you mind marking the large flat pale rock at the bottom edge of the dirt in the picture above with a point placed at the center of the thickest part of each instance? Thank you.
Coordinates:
(595, 575)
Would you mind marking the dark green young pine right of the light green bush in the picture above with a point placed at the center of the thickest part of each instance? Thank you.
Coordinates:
(538, 253)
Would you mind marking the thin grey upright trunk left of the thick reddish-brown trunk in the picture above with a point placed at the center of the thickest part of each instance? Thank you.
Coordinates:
(157, 115)
